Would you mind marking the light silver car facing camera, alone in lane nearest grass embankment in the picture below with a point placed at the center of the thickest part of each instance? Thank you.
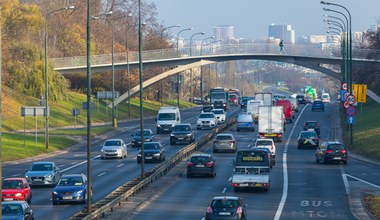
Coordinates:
(114, 148)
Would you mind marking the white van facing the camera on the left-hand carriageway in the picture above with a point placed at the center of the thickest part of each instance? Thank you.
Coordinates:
(166, 118)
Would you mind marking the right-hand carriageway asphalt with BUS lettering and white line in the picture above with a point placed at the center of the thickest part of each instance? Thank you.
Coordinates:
(300, 188)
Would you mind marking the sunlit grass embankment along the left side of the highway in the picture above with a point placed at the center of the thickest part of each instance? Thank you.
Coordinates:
(16, 145)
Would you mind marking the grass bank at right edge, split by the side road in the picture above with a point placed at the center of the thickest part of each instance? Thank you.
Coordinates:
(366, 139)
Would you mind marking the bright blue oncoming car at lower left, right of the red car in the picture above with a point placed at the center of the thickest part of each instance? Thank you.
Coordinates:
(71, 188)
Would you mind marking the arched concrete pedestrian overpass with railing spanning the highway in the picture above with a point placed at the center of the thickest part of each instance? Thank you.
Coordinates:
(308, 56)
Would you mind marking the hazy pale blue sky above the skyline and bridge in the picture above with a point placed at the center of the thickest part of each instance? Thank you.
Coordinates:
(251, 18)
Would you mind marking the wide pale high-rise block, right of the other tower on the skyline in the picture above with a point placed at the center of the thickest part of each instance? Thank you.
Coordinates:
(282, 32)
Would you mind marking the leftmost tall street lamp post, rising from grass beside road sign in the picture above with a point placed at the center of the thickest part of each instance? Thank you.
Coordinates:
(47, 73)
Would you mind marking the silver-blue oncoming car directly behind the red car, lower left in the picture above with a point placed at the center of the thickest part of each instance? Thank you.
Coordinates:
(43, 173)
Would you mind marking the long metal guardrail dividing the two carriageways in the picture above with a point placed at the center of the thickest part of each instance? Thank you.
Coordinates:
(132, 187)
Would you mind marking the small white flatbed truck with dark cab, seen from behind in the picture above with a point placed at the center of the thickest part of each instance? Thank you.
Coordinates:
(252, 170)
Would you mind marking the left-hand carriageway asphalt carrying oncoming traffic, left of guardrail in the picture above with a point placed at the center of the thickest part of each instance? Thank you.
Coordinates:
(107, 175)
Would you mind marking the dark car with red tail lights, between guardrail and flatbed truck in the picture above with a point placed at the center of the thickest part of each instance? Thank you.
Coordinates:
(201, 164)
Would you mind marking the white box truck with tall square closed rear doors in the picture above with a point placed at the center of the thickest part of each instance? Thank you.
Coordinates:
(271, 122)
